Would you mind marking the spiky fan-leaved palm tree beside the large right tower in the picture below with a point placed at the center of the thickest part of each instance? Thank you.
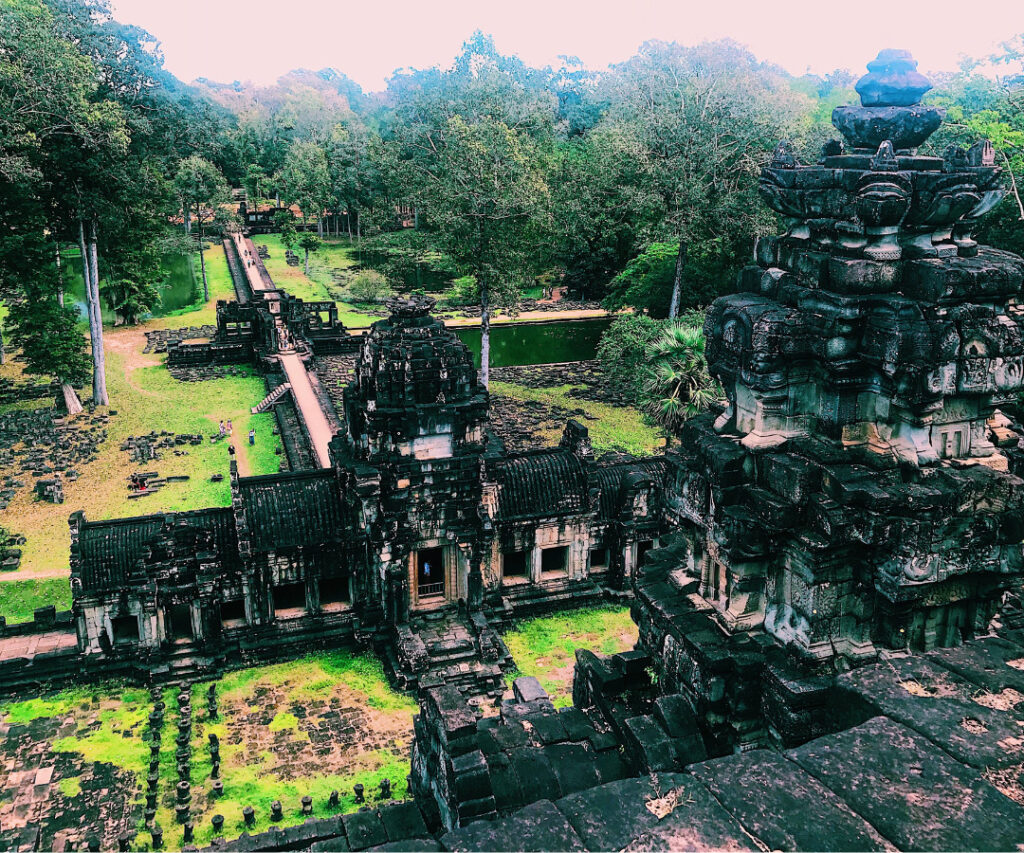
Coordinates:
(678, 386)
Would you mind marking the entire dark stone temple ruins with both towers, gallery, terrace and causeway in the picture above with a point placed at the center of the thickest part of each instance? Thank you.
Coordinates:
(826, 574)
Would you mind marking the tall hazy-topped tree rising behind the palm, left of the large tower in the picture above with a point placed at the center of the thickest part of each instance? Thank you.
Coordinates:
(707, 118)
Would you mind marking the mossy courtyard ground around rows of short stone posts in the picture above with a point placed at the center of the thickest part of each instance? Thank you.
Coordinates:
(308, 728)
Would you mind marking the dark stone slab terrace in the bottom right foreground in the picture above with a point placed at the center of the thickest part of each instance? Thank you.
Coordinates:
(934, 763)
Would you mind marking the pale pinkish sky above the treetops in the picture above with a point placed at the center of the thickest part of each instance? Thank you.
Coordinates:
(260, 40)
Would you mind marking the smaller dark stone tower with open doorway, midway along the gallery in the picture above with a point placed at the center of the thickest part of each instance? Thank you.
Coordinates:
(416, 420)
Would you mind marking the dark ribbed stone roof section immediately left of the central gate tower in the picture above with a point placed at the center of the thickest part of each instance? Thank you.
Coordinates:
(289, 510)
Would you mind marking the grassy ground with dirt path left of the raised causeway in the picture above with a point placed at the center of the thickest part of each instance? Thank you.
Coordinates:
(146, 398)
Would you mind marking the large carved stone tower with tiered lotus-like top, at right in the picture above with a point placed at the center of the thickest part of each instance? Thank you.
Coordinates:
(863, 488)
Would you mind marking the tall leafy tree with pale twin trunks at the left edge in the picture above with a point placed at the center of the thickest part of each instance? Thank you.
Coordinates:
(58, 135)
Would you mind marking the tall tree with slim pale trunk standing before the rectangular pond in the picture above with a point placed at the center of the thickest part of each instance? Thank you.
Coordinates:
(472, 149)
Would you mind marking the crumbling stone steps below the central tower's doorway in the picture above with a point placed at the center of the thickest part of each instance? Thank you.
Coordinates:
(447, 648)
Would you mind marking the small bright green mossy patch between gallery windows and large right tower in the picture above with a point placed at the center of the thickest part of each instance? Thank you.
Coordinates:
(545, 648)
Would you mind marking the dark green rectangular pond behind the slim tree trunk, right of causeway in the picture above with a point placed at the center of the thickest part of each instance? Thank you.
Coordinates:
(538, 344)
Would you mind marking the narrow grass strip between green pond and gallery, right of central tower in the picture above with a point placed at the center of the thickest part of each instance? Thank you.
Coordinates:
(617, 429)
